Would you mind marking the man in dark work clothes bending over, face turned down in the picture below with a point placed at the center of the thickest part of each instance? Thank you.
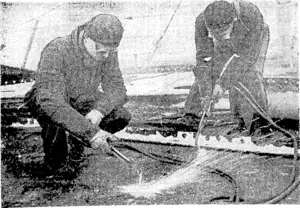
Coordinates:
(224, 30)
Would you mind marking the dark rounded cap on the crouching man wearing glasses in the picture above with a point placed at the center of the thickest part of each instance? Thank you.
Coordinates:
(105, 29)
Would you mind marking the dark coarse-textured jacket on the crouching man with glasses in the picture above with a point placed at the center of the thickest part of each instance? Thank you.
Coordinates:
(67, 77)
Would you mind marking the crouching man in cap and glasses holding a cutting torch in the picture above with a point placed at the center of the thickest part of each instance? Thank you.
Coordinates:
(79, 93)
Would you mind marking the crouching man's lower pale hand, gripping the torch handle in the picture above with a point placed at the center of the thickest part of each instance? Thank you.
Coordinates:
(100, 141)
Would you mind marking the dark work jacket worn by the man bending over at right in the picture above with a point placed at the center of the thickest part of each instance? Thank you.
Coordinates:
(245, 41)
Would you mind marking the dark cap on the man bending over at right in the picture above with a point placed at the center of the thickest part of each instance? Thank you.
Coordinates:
(218, 13)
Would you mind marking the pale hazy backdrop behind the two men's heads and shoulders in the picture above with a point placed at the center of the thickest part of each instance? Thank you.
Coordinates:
(157, 33)
